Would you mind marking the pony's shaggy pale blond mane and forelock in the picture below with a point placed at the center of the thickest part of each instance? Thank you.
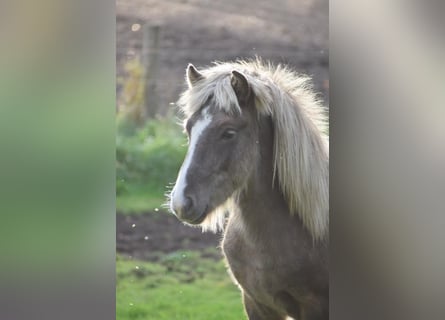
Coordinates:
(301, 147)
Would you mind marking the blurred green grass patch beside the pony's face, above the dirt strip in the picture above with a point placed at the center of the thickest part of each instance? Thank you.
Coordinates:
(148, 158)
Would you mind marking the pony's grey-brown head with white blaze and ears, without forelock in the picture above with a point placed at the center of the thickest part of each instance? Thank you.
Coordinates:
(222, 148)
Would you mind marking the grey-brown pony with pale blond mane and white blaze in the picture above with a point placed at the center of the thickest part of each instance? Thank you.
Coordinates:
(257, 167)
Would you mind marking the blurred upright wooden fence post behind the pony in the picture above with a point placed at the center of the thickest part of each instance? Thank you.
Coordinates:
(150, 62)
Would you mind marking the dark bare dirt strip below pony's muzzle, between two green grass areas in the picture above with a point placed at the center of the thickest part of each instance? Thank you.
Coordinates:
(148, 235)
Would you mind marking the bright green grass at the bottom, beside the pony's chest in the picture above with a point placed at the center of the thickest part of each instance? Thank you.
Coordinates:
(182, 286)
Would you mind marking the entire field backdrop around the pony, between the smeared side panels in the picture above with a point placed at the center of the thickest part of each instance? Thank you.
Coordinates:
(166, 270)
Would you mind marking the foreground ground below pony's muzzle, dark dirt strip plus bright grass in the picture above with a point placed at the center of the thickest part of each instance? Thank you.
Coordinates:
(169, 271)
